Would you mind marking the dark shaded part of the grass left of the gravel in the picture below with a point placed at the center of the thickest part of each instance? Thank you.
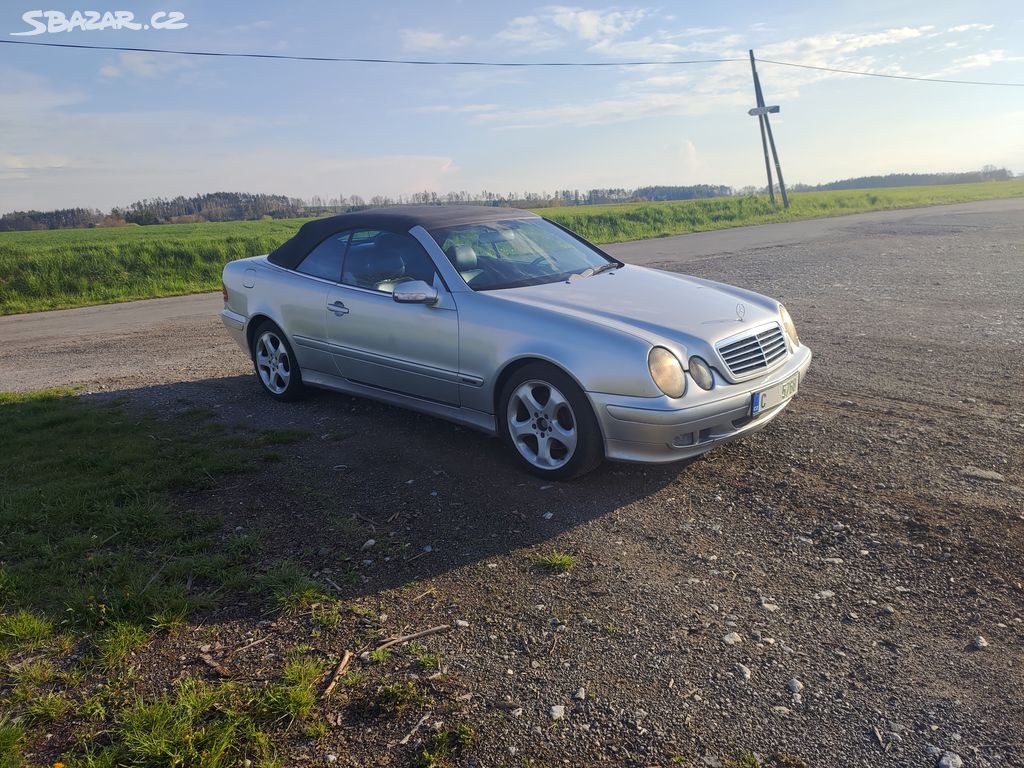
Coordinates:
(89, 535)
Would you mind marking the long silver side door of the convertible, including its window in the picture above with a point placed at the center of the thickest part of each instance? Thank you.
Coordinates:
(408, 349)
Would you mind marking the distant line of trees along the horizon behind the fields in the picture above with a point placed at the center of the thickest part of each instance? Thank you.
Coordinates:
(243, 206)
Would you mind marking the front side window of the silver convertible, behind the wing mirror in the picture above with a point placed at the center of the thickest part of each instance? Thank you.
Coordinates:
(379, 262)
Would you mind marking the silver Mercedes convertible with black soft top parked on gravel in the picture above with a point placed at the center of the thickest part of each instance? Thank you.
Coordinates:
(502, 321)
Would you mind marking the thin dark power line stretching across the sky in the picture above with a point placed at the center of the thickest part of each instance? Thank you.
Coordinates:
(458, 63)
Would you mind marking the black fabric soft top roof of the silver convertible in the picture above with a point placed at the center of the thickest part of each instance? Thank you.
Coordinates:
(398, 219)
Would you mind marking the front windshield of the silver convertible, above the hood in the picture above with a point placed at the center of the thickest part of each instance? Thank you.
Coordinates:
(517, 253)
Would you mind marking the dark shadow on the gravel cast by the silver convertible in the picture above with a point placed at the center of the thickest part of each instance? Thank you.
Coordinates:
(371, 497)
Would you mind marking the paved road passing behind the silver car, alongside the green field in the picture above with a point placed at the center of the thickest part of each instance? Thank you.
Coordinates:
(162, 340)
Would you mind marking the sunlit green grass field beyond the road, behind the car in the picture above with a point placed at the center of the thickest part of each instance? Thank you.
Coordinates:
(77, 268)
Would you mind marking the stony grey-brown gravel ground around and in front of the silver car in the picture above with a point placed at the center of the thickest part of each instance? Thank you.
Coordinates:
(814, 594)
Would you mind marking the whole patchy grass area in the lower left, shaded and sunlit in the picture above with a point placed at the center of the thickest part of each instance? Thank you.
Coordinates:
(101, 559)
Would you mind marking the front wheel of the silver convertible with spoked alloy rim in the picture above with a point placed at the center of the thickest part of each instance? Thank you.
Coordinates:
(548, 422)
